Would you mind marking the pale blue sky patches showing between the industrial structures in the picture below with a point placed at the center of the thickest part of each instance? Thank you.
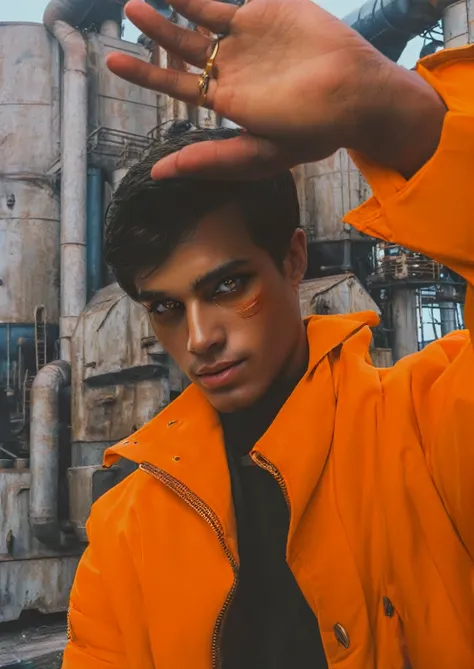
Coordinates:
(32, 10)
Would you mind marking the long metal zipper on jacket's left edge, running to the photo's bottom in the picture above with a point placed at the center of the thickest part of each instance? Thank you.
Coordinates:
(208, 515)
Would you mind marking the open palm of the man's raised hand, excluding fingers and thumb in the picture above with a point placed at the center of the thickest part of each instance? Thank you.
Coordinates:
(282, 80)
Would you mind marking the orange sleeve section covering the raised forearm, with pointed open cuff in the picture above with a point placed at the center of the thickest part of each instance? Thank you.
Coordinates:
(432, 212)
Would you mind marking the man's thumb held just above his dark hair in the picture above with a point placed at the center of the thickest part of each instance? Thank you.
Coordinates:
(241, 158)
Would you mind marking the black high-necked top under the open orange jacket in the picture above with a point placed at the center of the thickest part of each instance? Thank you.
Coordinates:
(269, 624)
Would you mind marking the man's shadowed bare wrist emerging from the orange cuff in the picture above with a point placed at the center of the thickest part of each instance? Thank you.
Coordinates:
(400, 124)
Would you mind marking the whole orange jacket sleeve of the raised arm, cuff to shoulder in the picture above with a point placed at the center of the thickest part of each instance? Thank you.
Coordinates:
(433, 213)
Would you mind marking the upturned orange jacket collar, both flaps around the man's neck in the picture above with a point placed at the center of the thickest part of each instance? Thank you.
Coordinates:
(185, 439)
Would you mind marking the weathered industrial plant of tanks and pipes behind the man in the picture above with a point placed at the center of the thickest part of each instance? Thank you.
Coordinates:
(80, 368)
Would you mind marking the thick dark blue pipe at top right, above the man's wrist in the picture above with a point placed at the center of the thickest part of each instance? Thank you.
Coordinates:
(390, 24)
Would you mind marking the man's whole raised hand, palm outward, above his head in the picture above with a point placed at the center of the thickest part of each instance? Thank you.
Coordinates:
(296, 78)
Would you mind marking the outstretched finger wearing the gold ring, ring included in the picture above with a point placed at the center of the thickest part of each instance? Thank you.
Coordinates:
(179, 85)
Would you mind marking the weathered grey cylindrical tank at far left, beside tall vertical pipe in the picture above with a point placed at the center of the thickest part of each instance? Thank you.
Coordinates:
(29, 207)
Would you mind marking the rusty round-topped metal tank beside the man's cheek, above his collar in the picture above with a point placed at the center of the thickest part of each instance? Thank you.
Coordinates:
(120, 372)
